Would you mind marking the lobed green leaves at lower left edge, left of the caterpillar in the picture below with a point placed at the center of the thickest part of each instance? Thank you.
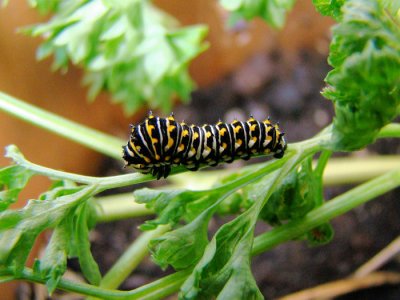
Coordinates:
(64, 208)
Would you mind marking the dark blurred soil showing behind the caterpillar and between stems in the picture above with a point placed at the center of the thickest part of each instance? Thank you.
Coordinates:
(289, 92)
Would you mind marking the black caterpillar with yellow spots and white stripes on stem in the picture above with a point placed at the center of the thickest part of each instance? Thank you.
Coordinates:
(159, 143)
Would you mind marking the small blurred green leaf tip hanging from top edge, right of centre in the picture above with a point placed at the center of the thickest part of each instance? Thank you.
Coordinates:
(272, 11)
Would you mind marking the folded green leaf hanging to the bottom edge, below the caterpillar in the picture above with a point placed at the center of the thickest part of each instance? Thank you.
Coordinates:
(224, 269)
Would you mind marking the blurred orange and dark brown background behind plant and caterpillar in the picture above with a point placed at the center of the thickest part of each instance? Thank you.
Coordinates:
(248, 69)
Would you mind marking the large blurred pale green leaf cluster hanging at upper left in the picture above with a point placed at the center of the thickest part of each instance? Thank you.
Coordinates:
(129, 48)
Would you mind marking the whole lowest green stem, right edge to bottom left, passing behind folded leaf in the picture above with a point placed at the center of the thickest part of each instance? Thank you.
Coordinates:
(289, 231)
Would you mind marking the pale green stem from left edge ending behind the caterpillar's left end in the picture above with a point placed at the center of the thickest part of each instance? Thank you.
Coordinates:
(93, 139)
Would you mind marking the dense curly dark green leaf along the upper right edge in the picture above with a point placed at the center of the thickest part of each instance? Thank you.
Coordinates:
(364, 84)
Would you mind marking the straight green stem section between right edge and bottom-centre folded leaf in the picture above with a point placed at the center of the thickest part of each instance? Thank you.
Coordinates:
(331, 209)
